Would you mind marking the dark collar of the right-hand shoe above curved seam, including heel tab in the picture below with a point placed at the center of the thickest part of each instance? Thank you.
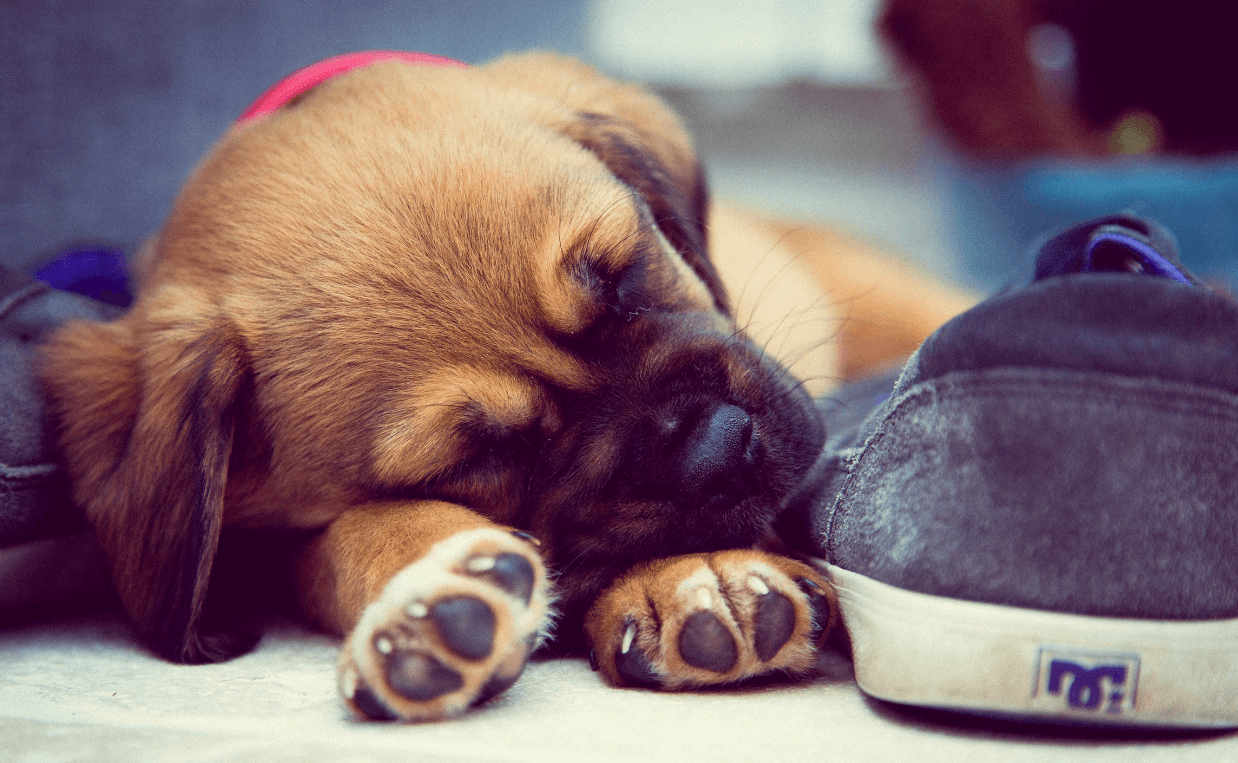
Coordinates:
(1109, 298)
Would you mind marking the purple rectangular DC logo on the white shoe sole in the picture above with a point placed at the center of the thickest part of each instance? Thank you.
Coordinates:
(1086, 682)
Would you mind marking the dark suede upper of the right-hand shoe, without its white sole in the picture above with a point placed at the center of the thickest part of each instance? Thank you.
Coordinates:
(1071, 445)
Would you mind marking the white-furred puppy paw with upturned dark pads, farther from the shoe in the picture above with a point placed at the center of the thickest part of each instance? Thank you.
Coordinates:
(450, 631)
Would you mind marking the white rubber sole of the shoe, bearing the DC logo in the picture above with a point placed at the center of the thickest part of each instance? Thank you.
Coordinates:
(938, 652)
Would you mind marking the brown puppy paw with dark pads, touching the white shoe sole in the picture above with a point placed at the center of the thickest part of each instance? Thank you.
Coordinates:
(711, 619)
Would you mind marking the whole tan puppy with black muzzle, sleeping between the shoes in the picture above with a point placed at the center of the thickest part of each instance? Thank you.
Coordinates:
(462, 328)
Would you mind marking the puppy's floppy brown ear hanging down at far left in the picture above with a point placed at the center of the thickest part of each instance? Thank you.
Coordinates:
(147, 432)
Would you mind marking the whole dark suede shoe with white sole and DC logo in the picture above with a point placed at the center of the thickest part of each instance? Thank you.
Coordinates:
(1039, 516)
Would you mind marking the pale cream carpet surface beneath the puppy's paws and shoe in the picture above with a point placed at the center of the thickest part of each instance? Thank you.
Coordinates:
(81, 689)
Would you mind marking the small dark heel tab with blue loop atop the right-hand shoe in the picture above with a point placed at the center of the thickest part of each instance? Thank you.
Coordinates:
(1120, 243)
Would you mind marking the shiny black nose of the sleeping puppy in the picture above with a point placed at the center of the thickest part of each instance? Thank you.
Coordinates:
(715, 458)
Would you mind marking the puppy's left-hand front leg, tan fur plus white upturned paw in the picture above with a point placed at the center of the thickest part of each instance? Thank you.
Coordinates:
(440, 606)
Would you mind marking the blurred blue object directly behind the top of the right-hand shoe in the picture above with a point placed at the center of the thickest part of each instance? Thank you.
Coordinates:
(1002, 210)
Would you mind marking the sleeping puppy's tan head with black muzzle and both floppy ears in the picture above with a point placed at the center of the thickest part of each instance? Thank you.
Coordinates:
(488, 287)
